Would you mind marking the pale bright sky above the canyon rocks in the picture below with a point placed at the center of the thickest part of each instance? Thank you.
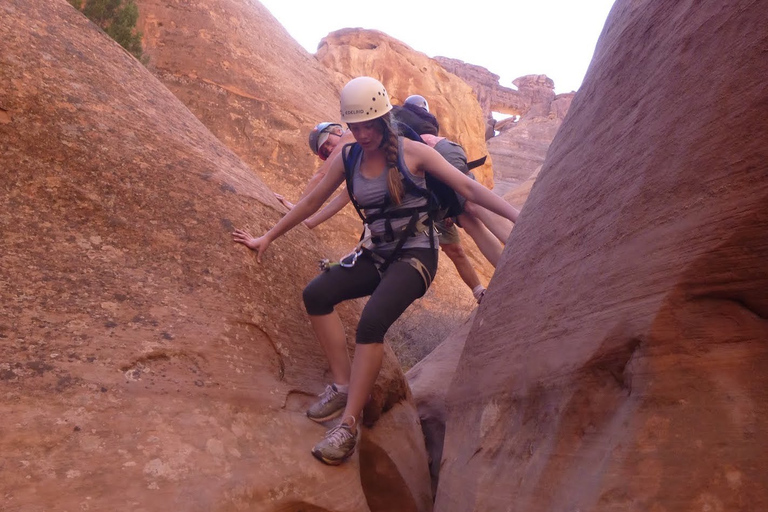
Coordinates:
(511, 38)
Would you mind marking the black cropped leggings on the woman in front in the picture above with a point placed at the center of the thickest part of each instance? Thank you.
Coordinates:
(391, 294)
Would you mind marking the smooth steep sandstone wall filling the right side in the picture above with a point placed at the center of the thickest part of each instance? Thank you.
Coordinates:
(619, 359)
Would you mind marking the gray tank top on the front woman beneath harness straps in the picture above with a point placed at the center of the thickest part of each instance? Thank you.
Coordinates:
(373, 191)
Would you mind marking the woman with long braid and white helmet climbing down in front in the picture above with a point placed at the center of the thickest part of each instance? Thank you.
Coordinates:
(394, 271)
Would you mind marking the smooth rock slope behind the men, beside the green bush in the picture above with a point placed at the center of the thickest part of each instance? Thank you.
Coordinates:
(237, 69)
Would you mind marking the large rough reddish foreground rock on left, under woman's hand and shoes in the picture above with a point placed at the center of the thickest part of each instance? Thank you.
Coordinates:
(148, 363)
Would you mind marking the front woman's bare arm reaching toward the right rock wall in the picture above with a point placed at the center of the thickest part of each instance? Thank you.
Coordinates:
(425, 159)
